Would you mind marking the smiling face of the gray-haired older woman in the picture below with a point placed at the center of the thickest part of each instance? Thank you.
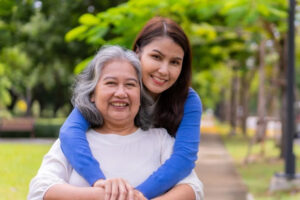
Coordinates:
(117, 94)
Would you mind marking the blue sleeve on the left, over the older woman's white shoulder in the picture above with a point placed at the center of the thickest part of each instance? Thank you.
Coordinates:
(76, 148)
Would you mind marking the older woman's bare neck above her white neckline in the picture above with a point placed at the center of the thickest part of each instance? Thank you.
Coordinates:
(108, 128)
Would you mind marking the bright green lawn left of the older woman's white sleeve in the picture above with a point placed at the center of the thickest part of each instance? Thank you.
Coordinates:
(19, 164)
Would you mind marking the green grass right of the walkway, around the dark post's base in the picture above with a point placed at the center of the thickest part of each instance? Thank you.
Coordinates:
(258, 173)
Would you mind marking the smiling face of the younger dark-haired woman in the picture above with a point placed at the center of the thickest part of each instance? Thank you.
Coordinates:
(161, 62)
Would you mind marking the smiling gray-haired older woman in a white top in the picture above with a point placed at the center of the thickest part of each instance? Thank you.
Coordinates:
(109, 94)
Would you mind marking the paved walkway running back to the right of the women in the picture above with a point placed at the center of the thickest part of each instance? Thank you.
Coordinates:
(217, 172)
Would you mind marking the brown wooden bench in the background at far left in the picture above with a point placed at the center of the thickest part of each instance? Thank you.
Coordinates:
(17, 125)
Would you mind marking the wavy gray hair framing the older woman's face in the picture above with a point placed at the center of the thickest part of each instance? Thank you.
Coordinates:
(87, 80)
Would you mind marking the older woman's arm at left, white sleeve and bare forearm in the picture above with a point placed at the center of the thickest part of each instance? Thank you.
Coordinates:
(51, 180)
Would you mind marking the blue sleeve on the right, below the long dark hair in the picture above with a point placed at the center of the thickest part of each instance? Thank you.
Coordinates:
(184, 155)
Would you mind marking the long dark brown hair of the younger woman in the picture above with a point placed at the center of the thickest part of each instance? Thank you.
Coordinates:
(170, 106)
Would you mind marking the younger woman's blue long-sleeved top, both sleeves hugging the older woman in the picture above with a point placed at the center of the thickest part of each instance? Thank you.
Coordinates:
(76, 148)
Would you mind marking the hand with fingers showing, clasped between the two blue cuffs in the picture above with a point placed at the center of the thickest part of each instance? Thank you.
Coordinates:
(117, 189)
